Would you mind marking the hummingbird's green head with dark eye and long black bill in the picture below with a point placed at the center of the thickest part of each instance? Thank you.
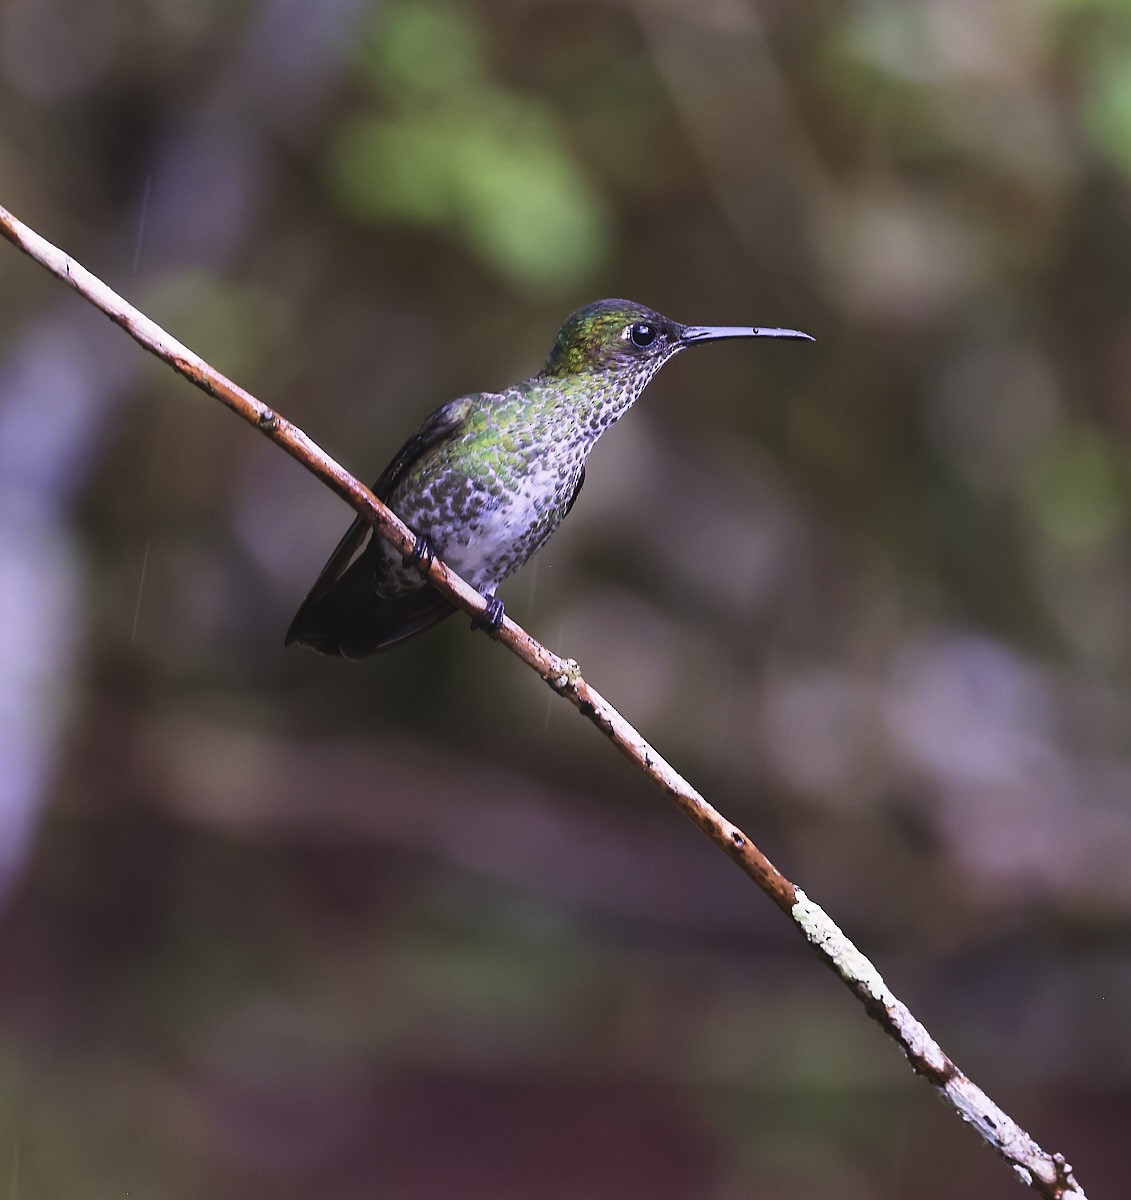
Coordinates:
(624, 345)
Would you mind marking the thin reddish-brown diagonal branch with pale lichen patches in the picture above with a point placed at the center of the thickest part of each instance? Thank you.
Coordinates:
(1050, 1175)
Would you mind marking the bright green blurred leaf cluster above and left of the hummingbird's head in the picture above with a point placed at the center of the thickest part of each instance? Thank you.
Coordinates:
(466, 154)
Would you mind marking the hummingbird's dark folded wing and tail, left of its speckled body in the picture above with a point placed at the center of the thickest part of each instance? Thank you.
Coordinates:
(343, 613)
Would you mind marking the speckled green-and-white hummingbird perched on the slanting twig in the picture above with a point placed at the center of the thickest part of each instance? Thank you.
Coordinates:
(488, 478)
